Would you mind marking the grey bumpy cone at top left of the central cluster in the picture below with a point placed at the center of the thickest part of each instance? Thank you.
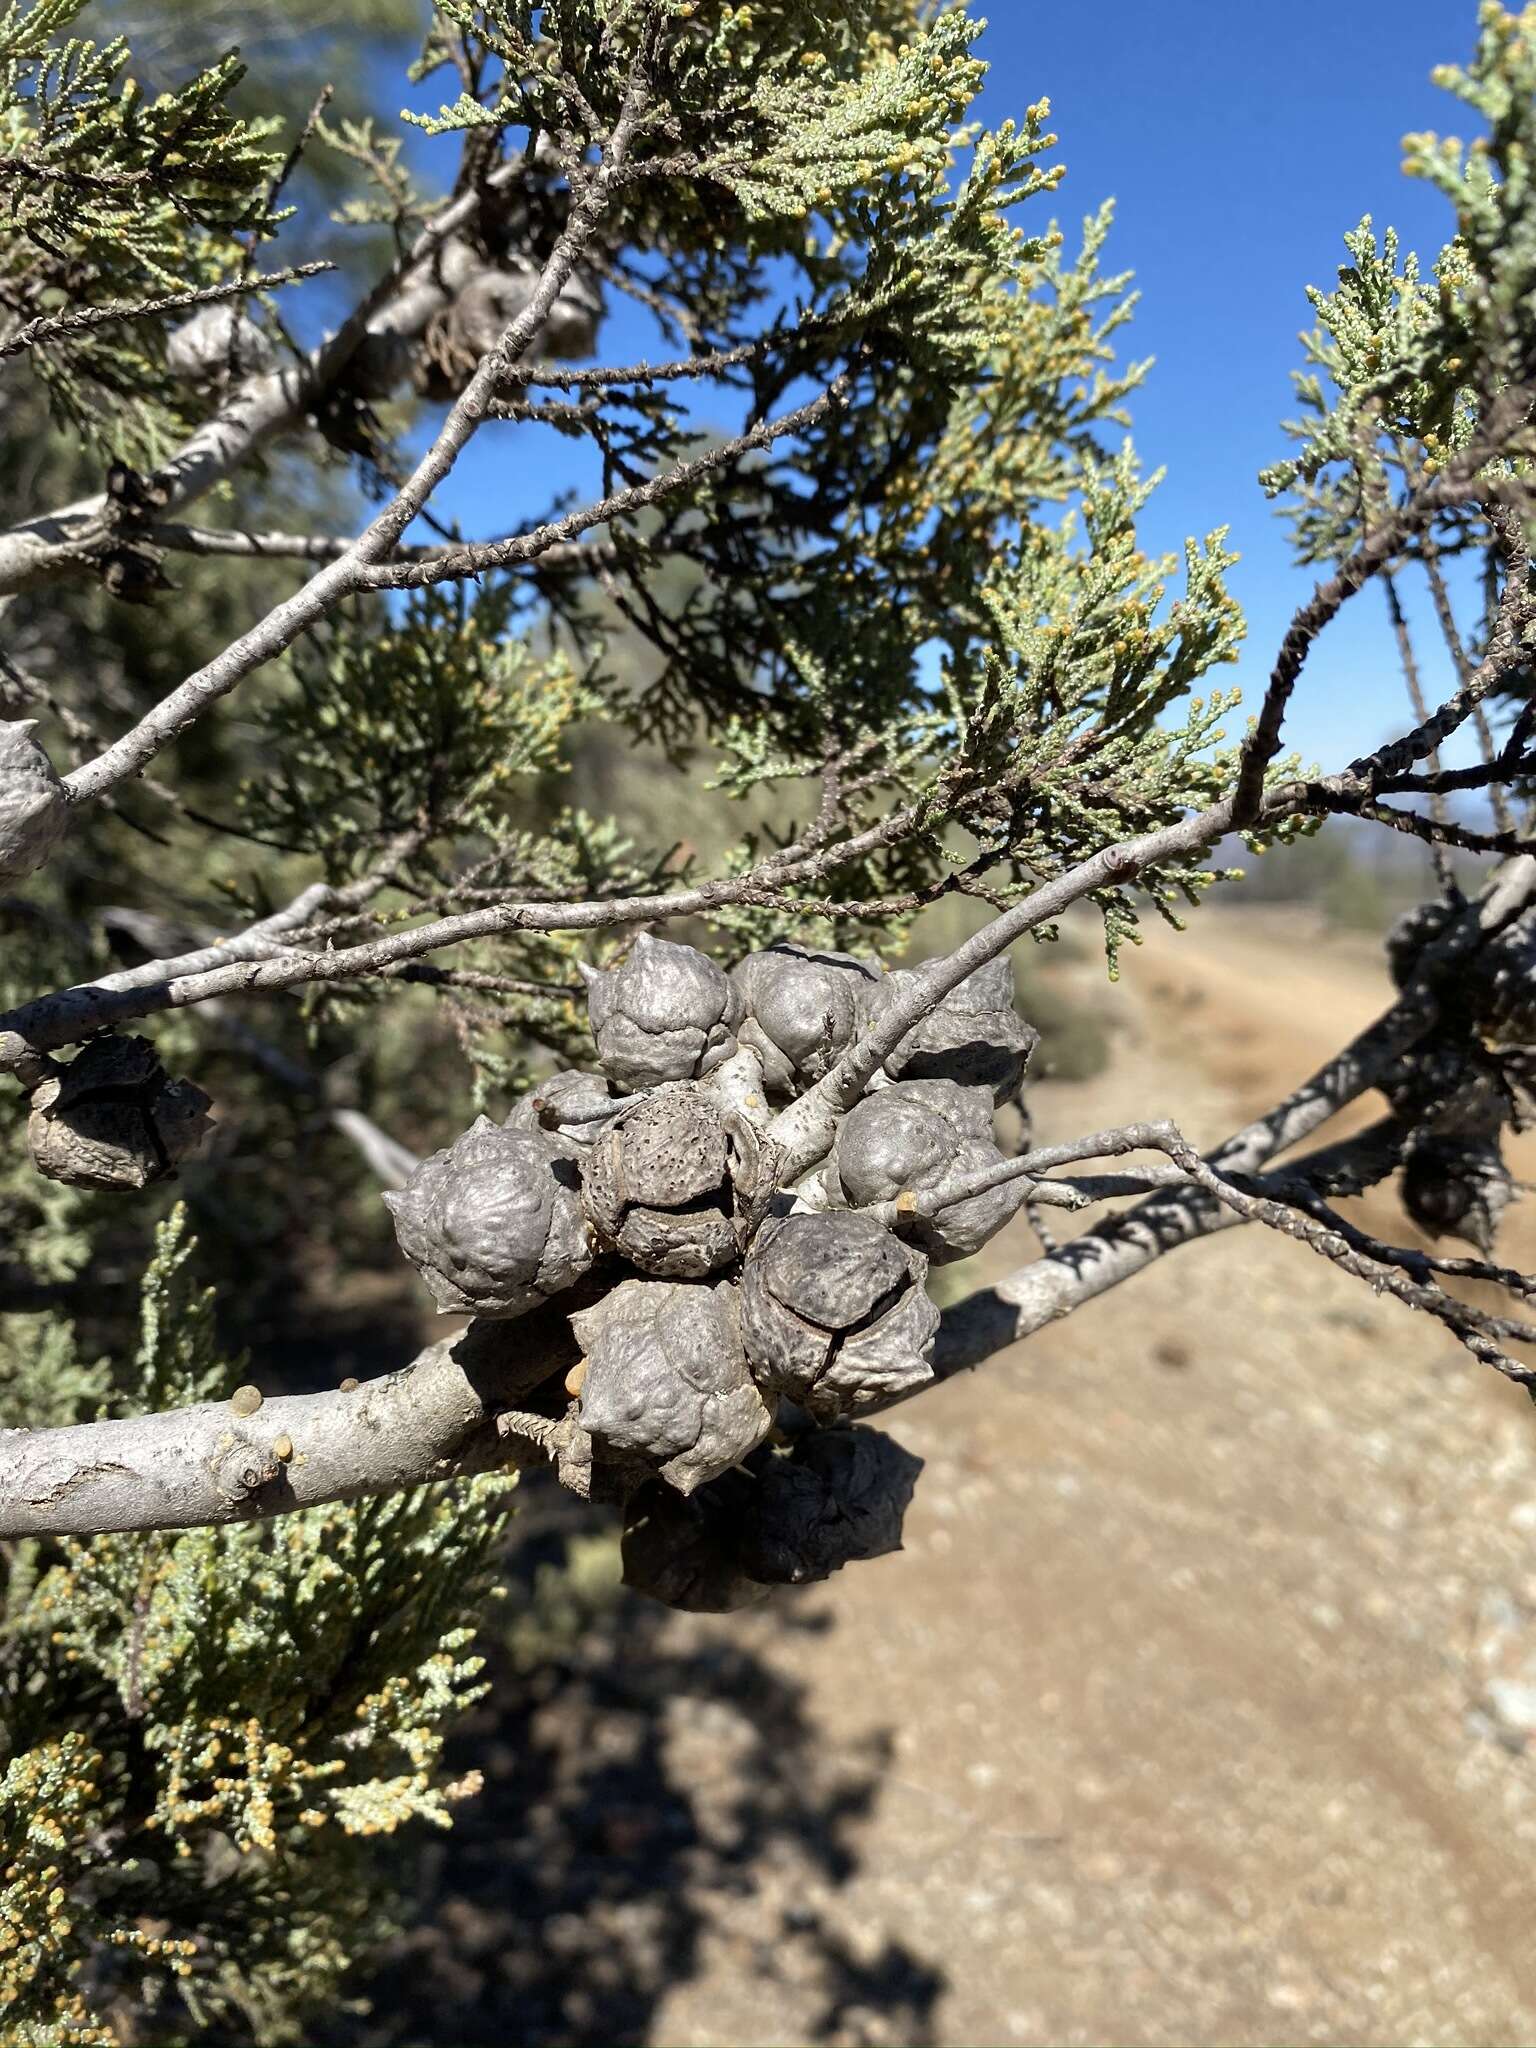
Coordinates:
(665, 1015)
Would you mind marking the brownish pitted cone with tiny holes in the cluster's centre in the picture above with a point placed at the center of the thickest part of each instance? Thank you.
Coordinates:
(663, 1183)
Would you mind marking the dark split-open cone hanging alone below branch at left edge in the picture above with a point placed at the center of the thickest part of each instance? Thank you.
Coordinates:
(116, 1119)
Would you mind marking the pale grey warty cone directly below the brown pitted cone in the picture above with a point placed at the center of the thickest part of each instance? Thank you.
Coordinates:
(667, 1381)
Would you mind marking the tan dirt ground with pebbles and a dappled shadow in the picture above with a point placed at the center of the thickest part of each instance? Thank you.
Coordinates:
(1195, 1711)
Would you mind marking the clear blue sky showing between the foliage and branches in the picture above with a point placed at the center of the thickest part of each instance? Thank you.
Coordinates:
(1240, 142)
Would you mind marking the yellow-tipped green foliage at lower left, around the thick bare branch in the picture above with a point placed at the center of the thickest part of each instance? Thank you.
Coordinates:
(204, 1727)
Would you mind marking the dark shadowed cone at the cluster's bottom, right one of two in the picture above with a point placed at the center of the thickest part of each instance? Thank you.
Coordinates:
(837, 1498)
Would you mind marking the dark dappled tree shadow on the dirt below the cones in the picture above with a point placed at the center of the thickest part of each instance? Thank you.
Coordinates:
(656, 1801)
